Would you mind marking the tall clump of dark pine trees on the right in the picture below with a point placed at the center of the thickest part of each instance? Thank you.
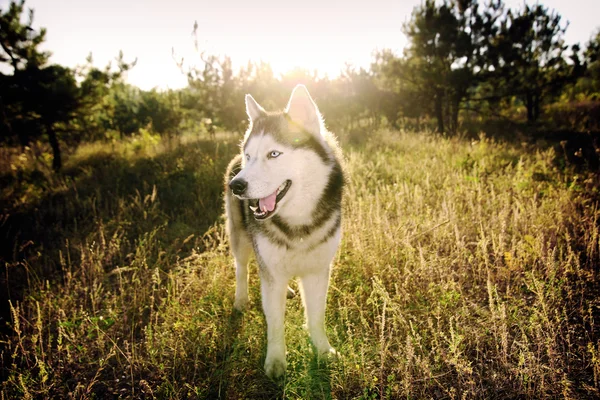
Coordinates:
(478, 57)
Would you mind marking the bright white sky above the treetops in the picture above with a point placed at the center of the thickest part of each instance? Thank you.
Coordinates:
(321, 34)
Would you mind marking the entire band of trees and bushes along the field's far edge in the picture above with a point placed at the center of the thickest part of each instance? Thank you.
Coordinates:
(465, 60)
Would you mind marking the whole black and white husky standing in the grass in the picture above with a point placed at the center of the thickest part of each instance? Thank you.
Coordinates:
(283, 198)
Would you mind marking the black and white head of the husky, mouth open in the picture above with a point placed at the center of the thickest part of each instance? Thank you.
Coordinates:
(284, 155)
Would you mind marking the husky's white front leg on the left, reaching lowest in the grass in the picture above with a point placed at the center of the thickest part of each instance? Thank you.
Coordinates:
(273, 299)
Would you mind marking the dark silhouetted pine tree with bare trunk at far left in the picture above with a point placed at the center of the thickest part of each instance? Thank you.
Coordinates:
(36, 96)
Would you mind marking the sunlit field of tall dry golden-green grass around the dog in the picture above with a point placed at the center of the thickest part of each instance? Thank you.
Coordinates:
(467, 269)
